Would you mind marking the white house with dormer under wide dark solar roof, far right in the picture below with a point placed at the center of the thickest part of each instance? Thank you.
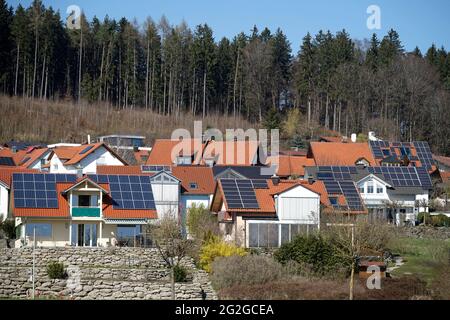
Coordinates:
(395, 194)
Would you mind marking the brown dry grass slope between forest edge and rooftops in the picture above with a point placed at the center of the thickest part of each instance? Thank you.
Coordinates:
(49, 121)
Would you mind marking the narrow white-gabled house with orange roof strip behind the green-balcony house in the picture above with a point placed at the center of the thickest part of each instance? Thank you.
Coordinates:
(165, 186)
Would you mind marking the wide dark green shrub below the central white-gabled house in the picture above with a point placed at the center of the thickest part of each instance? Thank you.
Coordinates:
(321, 255)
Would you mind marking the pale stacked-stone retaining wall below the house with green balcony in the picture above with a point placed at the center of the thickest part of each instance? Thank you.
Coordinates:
(99, 273)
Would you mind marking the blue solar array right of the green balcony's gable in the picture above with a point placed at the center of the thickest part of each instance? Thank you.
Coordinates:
(128, 191)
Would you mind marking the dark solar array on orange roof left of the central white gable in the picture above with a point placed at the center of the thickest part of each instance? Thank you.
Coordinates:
(240, 193)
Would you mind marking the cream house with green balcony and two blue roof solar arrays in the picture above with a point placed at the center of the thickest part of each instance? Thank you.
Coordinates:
(88, 211)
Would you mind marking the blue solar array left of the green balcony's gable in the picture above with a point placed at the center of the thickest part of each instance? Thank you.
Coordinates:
(33, 190)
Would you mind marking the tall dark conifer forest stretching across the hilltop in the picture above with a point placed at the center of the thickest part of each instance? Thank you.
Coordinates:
(331, 81)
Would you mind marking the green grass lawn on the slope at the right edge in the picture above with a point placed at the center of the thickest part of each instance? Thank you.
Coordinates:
(421, 257)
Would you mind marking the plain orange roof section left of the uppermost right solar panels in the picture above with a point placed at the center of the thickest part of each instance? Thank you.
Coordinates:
(340, 153)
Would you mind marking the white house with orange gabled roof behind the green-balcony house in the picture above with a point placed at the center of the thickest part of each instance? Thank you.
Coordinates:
(82, 159)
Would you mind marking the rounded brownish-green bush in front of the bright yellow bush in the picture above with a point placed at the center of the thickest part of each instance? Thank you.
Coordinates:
(244, 270)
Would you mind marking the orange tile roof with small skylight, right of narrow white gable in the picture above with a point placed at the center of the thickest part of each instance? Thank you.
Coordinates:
(202, 176)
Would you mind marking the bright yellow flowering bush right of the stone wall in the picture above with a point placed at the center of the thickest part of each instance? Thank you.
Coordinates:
(217, 248)
